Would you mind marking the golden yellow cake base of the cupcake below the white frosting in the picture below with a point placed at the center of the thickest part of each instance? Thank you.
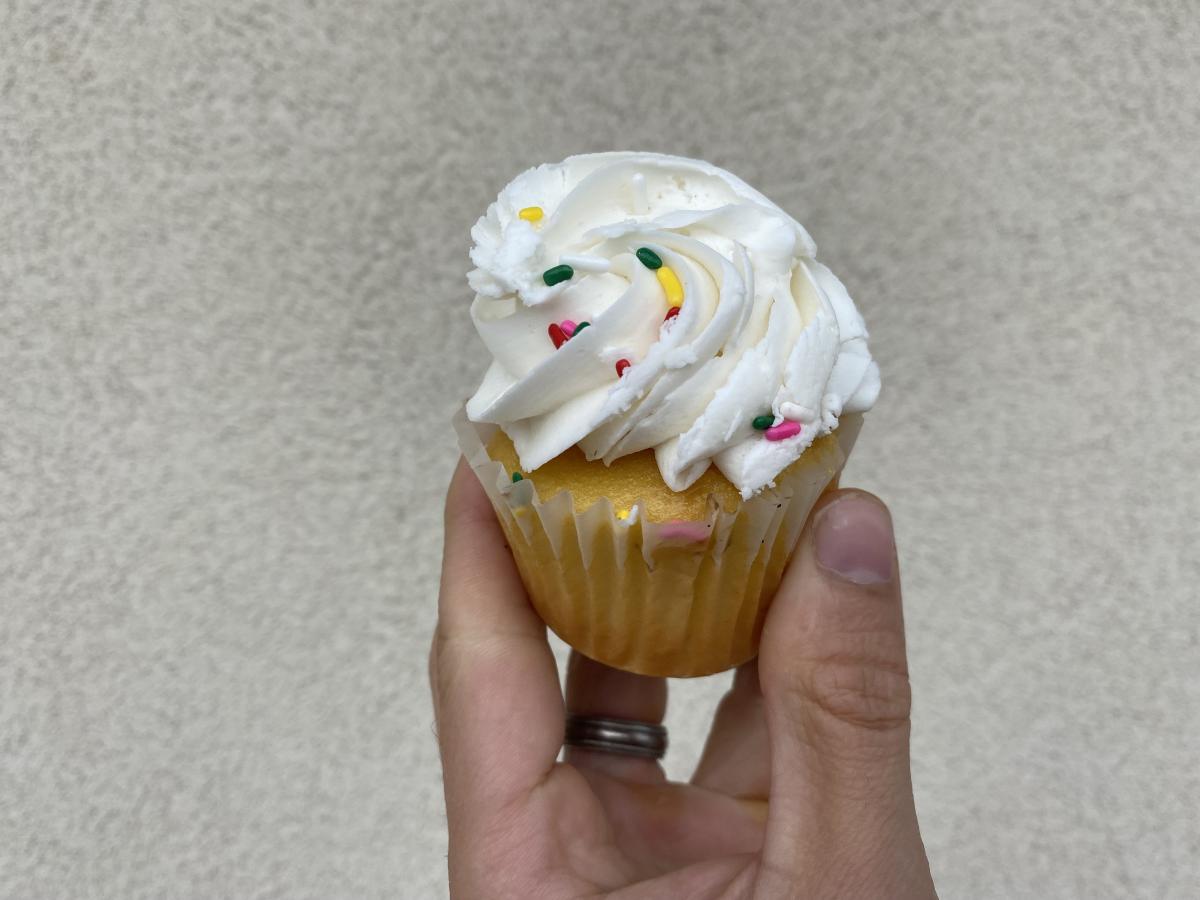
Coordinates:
(687, 611)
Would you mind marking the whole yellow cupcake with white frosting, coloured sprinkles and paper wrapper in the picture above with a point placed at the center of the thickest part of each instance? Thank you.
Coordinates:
(675, 382)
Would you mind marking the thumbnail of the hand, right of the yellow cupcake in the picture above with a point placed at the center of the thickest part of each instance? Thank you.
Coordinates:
(854, 539)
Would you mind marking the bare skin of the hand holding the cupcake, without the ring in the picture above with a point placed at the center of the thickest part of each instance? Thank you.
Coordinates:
(803, 789)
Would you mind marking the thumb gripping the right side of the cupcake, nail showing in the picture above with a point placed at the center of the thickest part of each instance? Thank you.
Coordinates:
(836, 688)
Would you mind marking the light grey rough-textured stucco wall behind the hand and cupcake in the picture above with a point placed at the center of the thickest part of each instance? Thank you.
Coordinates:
(235, 327)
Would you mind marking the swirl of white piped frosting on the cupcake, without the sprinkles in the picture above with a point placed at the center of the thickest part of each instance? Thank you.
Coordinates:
(764, 327)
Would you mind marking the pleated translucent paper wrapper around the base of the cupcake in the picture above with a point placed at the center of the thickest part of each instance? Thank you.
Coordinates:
(682, 598)
